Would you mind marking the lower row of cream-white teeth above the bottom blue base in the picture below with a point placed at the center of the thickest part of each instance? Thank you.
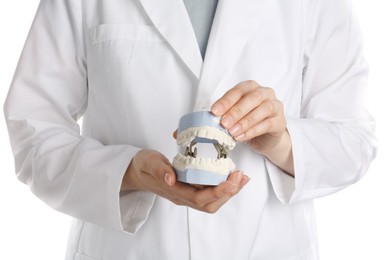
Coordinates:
(220, 166)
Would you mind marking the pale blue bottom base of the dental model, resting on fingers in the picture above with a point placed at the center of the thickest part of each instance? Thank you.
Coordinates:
(201, 177)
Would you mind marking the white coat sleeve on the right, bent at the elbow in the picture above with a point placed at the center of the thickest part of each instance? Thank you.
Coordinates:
(333, 139)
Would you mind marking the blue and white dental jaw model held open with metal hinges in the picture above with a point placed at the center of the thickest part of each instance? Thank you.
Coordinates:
(203, 127)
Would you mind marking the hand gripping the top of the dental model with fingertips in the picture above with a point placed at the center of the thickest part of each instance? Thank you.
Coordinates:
(254, 115)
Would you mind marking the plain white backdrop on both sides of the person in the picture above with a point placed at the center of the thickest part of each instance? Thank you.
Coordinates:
(352, 224)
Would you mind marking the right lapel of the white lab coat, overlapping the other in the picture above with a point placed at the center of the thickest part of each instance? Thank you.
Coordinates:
(234, 22)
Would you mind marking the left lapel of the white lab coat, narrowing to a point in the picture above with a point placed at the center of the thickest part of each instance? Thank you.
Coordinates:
(172, 21)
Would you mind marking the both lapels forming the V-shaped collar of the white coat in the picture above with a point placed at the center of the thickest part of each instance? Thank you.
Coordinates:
(234, 22)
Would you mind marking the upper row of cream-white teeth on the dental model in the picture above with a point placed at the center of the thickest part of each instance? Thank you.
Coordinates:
(185, 137)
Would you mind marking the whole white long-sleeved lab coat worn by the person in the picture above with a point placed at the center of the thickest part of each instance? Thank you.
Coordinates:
(133, 67)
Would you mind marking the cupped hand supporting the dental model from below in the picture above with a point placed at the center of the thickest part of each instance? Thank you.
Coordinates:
(152, 171)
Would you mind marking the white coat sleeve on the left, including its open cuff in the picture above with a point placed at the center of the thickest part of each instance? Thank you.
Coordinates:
(76, 175)
